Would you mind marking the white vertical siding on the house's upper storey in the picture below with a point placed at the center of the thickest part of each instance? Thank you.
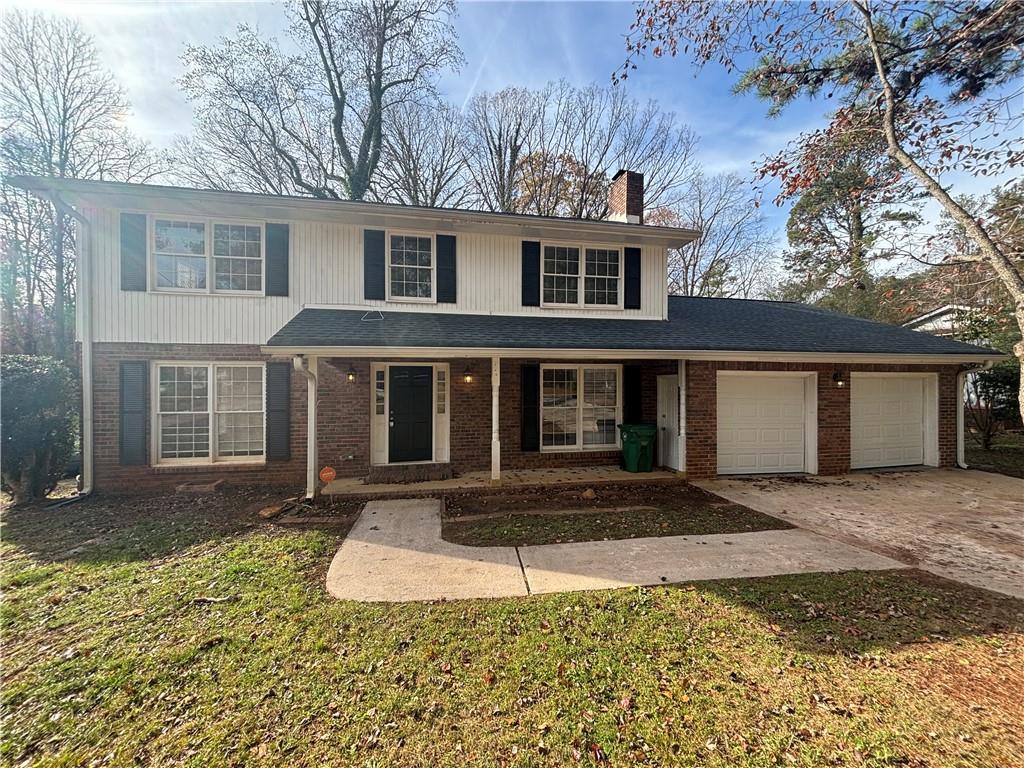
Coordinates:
(326, 271)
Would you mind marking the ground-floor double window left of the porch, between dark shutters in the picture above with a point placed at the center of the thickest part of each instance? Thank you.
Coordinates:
(209, 412)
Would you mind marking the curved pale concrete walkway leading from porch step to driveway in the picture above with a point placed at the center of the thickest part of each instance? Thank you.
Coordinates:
(395, 553)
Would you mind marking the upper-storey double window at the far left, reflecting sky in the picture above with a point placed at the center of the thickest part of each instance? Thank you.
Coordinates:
(207, 255)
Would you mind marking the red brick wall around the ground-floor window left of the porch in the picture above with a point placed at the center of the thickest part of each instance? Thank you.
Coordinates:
(111, 477)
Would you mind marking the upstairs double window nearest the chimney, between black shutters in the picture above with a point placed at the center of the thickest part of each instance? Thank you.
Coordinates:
(599, 270)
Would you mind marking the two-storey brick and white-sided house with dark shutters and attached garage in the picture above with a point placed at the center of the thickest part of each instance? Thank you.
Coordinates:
(261, 338)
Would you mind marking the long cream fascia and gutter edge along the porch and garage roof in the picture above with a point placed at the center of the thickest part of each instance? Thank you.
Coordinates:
(702, 355)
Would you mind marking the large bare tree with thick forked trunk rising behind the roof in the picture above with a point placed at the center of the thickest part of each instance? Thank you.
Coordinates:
(319, 117)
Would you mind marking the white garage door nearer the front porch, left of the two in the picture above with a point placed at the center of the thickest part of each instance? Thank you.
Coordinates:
(760, 424)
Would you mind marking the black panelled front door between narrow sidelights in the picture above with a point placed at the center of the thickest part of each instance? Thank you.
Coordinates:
(411, 435)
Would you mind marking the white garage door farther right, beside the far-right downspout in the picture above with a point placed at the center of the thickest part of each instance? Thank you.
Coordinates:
(887, 421)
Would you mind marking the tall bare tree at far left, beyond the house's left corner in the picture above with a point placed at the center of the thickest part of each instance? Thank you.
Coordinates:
(62, 116)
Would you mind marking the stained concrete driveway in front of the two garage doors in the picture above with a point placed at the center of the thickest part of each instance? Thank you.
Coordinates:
(961, 525)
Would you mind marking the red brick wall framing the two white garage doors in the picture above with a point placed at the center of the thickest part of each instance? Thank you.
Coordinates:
(834, 412)
